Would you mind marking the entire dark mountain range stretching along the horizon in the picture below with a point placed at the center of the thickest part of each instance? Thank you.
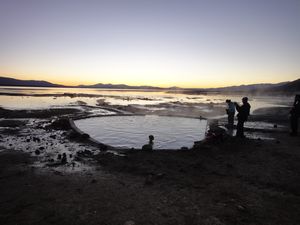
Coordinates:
(287, 87)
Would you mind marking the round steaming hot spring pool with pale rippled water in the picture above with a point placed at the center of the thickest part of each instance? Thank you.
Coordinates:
(133, 131)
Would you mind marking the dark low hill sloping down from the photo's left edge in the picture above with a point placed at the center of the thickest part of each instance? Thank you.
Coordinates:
(6, 81)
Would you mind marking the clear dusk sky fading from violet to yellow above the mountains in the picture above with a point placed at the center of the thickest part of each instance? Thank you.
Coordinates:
(204, 43)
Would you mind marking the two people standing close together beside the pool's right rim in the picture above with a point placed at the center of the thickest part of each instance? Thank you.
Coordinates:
(243, 113)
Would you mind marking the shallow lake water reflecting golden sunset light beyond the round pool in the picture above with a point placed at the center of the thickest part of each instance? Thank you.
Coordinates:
(92, 97)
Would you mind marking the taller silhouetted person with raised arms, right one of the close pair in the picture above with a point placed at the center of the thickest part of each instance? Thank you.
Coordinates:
(243, 113)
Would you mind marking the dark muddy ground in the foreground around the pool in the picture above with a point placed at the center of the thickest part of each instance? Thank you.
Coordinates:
(230, 181)
